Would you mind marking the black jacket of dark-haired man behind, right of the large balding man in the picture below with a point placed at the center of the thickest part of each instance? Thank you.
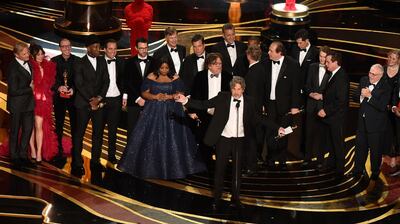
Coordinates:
(312, 56)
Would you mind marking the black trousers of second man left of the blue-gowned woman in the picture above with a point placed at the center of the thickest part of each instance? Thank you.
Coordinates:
(112, 115)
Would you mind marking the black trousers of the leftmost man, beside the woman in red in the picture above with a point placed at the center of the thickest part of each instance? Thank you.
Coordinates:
(23, 120)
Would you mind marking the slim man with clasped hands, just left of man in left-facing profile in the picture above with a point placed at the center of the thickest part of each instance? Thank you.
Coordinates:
(317, 79)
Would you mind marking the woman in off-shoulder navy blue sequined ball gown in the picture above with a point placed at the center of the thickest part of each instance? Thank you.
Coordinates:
(161, 146)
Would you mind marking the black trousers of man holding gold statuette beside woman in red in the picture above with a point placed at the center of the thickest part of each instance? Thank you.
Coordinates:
(61, 105)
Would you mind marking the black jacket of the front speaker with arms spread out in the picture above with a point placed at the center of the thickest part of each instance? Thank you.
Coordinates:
(222, 103)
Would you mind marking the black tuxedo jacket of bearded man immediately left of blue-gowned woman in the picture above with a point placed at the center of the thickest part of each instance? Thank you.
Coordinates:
(133, 77)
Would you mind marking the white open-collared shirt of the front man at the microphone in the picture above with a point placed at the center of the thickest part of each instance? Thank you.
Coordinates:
(231, 126)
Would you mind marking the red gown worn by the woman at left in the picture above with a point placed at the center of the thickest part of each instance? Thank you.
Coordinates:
(44, 105)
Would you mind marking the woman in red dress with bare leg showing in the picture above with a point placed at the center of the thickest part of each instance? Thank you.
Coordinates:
(44, 72)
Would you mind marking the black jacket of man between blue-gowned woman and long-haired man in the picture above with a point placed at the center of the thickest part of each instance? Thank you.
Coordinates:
(188, 71)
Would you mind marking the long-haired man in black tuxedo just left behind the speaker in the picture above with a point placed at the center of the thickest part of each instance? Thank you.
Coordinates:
(207, 84)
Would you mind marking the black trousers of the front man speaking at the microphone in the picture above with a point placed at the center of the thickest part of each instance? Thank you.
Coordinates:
(225, 148)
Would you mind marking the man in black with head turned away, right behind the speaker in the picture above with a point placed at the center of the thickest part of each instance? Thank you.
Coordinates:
(255, 88)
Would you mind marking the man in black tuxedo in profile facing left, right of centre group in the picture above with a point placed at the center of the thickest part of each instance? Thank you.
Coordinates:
(333, 111)
